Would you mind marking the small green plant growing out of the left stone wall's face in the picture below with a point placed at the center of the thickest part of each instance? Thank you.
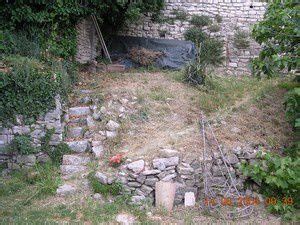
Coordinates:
(21, 144)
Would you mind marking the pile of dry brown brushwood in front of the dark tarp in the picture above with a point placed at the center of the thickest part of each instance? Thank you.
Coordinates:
(143, 56)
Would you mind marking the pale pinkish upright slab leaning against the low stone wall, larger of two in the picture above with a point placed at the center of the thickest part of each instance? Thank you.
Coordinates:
(165, 195)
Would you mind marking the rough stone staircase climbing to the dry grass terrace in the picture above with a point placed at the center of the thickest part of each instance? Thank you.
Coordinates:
(80, 121)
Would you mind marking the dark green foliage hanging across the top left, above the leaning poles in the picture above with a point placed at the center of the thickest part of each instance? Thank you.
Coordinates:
(53, 23)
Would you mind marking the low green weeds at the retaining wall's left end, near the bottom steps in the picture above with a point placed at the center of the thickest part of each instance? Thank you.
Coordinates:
(104, 189)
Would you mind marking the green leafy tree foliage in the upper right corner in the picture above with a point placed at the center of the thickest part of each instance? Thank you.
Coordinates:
(280, 50)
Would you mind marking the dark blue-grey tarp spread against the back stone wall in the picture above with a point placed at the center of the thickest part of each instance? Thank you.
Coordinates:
(176, 53)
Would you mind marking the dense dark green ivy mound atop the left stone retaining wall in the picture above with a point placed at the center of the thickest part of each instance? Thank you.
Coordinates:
(28, 89)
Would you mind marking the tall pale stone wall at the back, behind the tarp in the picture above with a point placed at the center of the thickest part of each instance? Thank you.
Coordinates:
(240, 14)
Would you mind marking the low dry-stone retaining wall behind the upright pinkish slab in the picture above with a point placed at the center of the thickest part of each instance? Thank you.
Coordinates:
(139, 177)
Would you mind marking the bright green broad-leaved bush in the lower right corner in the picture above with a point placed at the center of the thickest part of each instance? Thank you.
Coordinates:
(278, 177)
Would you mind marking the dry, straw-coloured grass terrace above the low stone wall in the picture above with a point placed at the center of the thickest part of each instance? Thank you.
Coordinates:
(167, 112)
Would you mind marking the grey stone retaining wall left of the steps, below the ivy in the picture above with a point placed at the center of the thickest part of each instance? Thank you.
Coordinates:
(51, 120)
